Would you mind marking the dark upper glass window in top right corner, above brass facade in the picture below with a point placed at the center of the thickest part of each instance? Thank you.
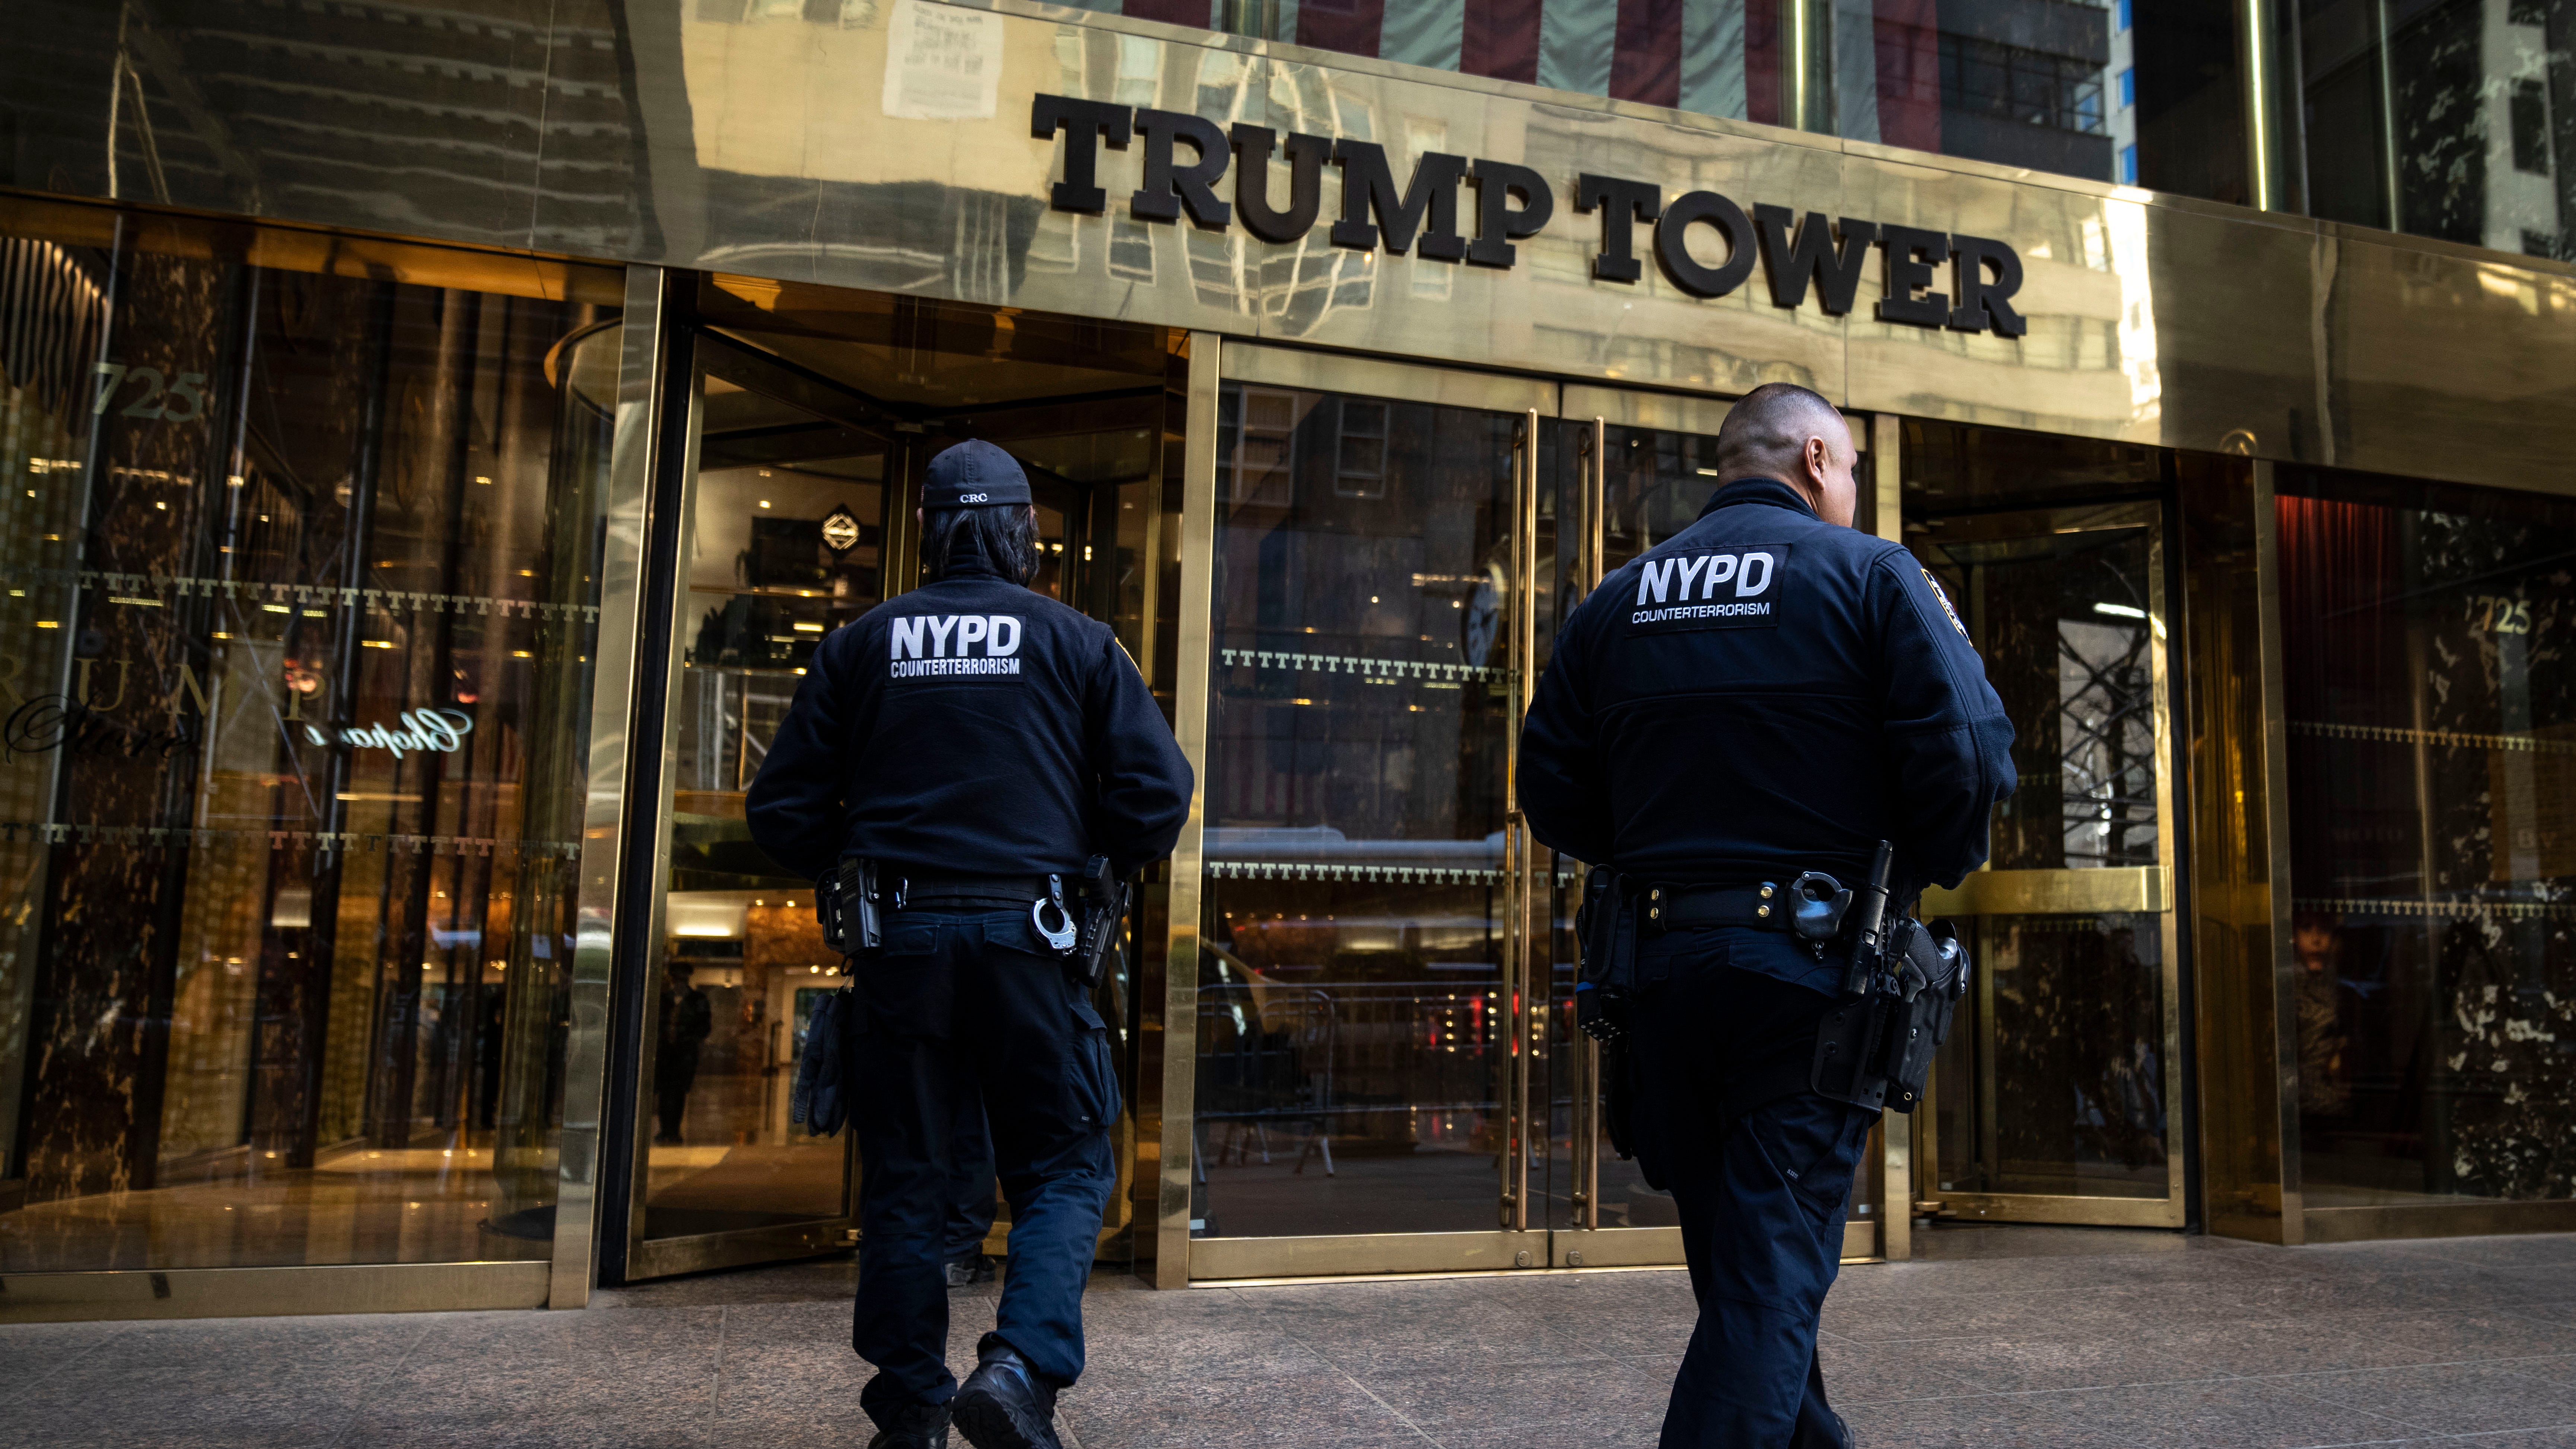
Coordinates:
(2451, 120)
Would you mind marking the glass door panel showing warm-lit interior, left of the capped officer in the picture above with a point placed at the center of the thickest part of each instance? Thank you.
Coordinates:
(782, 543)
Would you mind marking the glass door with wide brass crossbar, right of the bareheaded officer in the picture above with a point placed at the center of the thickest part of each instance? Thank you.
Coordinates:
(2054, 1097)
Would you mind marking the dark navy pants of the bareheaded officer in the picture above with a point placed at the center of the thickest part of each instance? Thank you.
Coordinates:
(1763, 1195)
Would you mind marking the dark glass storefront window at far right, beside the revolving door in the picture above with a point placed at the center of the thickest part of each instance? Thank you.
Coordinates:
(2433, 839)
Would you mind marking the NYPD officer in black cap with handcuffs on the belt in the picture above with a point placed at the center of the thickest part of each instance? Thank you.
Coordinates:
(972, 739)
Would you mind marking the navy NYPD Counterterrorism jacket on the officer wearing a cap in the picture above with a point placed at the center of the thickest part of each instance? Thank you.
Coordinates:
(978, 728)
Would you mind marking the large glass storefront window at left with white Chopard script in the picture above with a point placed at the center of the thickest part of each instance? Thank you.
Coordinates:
(303, 587)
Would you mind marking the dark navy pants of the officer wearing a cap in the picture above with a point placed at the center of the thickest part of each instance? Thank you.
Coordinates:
(962, 1009)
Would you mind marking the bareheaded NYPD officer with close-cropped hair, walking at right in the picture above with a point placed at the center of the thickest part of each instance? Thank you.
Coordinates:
(1763, 695)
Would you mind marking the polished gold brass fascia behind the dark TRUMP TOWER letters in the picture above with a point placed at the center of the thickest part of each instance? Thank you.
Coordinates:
(2152, 318)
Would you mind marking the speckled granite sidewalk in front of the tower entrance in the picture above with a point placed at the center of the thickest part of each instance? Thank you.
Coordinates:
(2026, 1337)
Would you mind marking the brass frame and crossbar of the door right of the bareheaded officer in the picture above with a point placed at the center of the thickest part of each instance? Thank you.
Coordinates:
(2083, 893)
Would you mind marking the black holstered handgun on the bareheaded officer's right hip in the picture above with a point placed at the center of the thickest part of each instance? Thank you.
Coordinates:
(1900, 991)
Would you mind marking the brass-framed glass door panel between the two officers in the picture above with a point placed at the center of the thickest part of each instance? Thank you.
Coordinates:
(1356, 1004)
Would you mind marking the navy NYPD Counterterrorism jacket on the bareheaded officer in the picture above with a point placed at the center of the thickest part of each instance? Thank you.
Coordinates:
(1766, 695)
